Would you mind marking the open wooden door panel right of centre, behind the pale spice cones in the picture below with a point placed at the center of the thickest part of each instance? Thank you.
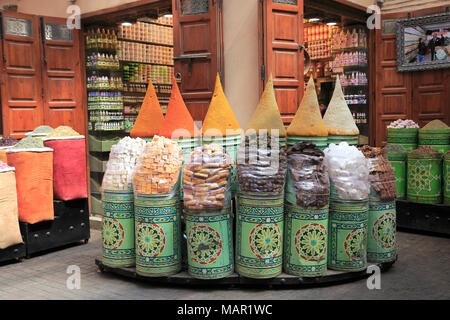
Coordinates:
(283, 57)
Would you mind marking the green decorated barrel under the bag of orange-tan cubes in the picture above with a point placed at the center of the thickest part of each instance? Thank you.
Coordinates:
(158, 234)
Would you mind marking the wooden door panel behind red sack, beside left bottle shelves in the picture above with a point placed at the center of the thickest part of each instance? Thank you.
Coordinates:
(61, 75)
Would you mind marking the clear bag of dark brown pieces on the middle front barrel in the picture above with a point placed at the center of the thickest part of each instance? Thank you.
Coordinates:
(261, 164)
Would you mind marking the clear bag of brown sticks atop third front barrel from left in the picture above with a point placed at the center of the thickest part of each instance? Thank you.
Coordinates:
(207, 178)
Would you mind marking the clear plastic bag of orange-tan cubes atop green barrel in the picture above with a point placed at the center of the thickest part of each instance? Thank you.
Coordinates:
(158, 169)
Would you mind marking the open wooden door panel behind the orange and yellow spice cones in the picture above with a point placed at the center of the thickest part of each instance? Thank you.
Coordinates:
(198, 51)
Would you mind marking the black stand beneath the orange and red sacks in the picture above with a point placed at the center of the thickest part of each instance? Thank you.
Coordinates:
(71, 225)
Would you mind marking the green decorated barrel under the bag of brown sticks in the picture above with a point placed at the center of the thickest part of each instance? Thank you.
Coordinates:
(210, 243)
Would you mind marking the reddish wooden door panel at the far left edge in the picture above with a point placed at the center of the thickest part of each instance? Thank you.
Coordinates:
(21, 87)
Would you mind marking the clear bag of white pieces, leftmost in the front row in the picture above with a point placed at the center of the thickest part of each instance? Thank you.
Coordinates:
(122, 162)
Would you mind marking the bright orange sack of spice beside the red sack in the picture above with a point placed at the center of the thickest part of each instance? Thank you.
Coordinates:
(34, 179)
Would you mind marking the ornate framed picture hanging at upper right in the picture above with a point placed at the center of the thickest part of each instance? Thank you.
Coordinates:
(423, 43)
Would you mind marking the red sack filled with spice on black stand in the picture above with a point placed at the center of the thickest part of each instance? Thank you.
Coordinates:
(69, 167)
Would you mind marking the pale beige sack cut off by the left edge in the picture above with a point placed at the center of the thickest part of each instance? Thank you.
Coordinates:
(9, 218)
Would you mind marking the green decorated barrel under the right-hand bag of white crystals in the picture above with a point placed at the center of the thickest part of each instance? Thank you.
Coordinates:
(347, 234)
